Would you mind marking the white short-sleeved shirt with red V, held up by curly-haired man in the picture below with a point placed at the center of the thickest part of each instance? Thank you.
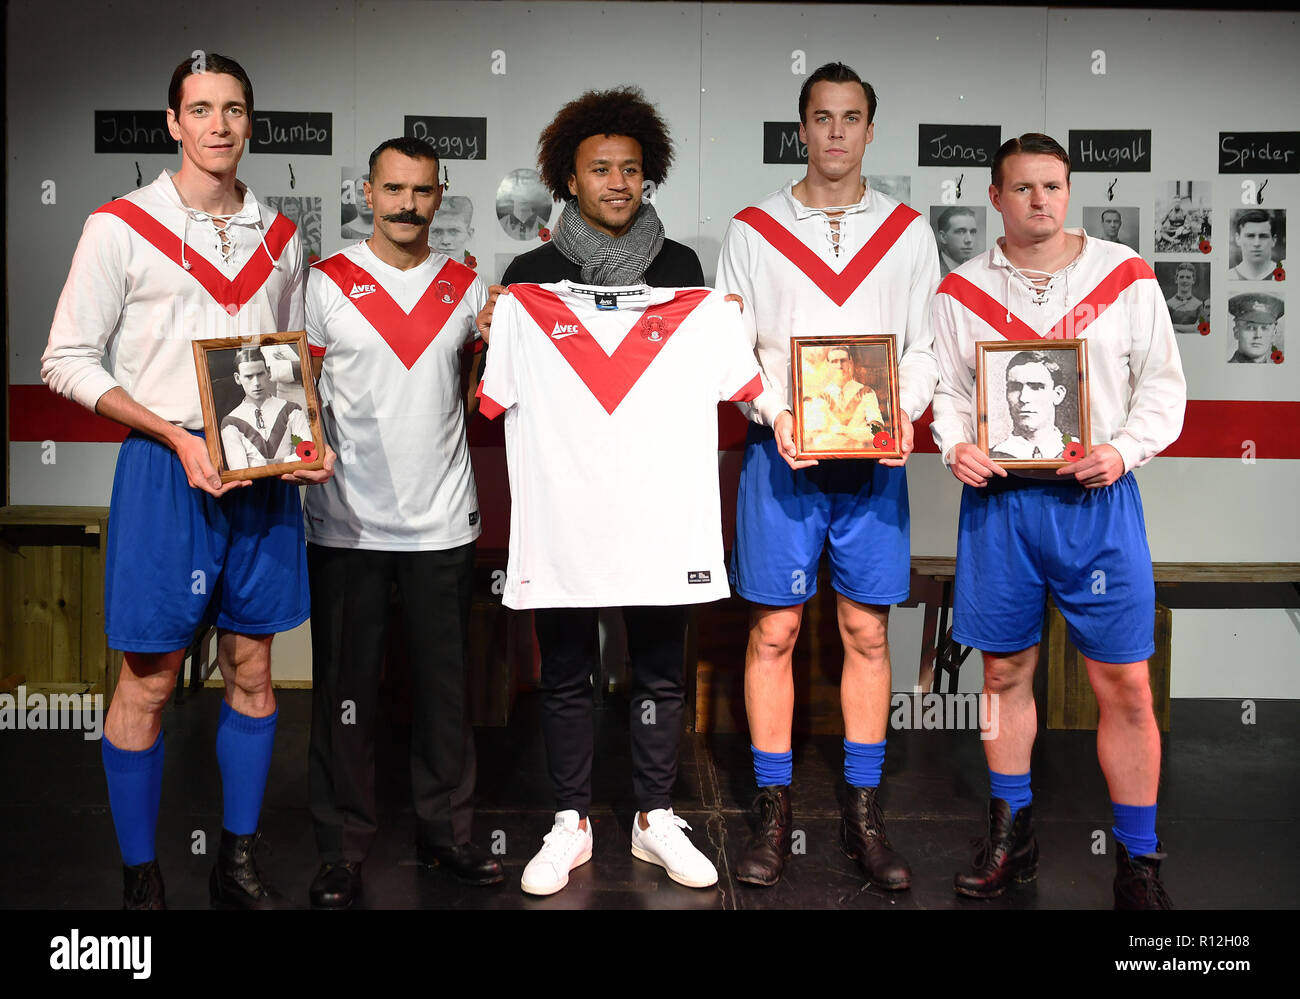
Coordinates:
(612, 439)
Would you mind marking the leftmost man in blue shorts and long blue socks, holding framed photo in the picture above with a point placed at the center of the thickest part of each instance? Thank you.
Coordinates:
(190, 257)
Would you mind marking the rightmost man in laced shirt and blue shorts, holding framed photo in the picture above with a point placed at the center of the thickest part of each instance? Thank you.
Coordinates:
(1081, 535)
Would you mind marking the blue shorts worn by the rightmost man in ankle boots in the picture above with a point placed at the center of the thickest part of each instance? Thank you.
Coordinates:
(1020, 539)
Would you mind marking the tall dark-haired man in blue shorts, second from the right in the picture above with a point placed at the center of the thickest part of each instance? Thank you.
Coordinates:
(826, 256)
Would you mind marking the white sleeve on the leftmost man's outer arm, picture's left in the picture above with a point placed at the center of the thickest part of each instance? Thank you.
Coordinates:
(89, 313)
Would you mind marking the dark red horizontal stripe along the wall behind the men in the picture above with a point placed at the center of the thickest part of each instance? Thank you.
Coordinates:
(1212, 429)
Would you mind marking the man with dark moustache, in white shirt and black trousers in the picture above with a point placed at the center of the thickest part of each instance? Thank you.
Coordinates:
(388, 322)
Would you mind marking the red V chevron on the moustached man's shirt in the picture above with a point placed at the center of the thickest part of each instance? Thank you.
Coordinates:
(409, 335)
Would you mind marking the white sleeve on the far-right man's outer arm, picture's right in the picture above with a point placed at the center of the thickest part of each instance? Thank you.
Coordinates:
(1156, 382)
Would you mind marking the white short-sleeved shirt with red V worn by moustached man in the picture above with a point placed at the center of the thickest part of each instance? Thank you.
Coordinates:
(392, 406)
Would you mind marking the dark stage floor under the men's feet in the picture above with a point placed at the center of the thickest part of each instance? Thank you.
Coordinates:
(1230, 818)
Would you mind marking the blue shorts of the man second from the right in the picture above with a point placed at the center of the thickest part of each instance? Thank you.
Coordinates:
(785, 520)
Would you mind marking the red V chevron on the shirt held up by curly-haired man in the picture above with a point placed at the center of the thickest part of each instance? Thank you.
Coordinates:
(610, 378)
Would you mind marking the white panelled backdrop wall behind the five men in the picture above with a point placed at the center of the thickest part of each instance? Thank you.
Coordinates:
(717, 72)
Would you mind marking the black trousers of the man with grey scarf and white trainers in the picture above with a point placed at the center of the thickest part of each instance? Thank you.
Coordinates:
(570, 646)
